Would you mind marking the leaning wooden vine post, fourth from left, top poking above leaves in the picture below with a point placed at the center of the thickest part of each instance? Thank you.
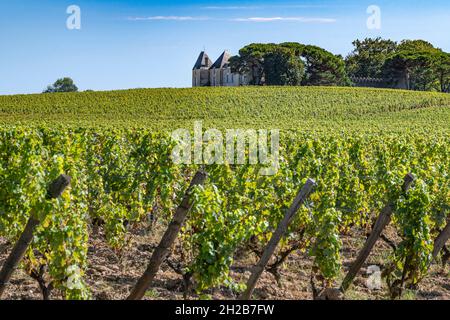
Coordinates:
(383, 220)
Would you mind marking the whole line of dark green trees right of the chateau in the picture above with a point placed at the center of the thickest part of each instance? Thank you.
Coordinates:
(416, 64)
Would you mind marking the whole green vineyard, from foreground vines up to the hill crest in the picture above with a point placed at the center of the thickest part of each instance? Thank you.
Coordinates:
(357, 145)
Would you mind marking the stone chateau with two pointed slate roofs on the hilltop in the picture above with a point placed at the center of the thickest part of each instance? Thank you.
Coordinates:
(217, 74)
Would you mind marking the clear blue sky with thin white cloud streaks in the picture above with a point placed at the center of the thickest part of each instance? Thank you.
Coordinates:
(143, 44)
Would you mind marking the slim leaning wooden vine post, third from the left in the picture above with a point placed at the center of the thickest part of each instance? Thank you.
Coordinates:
(276, 237)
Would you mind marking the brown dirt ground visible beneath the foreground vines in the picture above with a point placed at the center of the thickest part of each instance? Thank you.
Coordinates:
(111, 275)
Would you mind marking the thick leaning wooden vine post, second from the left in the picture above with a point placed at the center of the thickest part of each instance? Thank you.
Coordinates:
(167, 241)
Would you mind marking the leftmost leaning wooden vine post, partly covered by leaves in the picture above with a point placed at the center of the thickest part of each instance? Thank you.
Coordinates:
(54, 191)
